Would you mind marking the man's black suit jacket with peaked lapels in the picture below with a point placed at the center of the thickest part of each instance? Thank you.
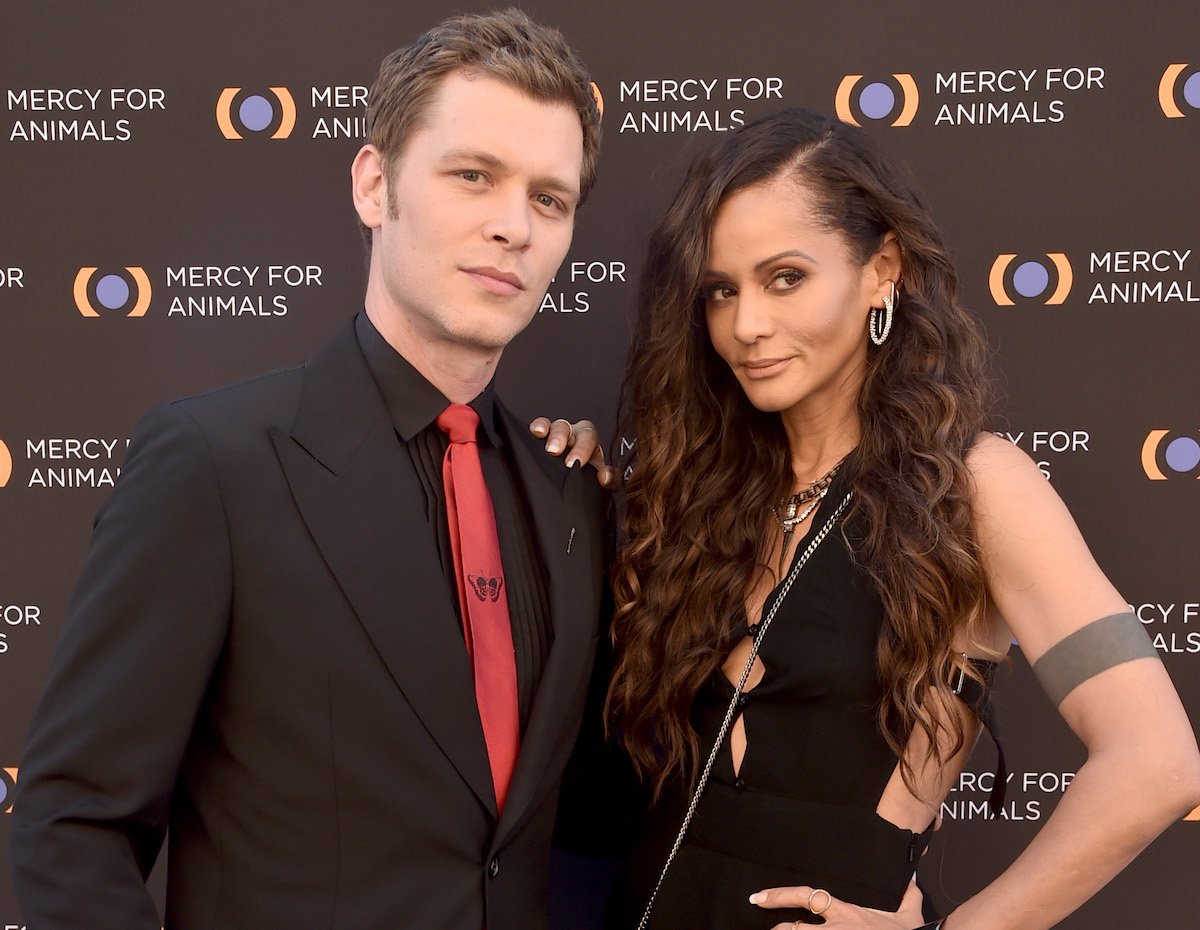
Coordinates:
(262, 655)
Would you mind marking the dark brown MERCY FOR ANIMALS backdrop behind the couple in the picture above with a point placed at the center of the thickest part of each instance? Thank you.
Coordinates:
(177, 215)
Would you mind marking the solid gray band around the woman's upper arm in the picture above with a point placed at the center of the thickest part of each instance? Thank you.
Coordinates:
(1091, 650)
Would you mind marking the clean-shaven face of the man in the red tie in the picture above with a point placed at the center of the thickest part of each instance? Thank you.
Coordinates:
(478, 214)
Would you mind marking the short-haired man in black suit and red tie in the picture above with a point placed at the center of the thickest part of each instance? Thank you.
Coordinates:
(283, 647)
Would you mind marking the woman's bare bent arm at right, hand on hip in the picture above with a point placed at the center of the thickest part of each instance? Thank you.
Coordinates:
(1143, 769)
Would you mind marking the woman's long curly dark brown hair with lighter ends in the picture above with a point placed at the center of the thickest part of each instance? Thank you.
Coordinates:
(709, 466)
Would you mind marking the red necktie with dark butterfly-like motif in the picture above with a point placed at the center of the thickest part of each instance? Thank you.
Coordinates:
(482, 596)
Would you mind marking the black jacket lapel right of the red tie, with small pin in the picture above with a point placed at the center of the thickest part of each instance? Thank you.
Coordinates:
(563, 531)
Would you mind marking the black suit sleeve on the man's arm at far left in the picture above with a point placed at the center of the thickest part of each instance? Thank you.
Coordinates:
(141, 640)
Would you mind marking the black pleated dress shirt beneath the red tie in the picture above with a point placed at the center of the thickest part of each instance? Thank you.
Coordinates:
(415, 406)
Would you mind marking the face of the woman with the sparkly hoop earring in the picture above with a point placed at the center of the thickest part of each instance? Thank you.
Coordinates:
(787, 303)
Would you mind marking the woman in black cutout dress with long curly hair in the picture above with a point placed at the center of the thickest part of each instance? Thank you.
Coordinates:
(806, 388)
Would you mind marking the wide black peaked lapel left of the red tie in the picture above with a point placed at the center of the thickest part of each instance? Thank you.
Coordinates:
(361, 500)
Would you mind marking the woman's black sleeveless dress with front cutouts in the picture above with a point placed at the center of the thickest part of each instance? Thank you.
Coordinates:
(801, 811)
